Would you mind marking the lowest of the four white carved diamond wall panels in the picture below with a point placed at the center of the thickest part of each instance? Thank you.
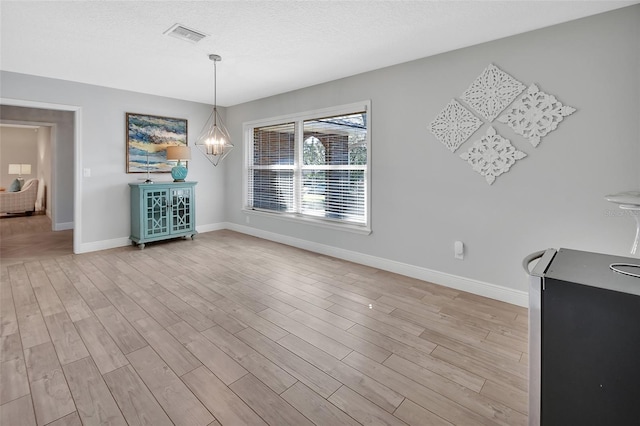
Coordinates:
(492, 155)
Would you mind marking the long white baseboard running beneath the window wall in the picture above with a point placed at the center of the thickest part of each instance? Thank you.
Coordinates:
(480, 288)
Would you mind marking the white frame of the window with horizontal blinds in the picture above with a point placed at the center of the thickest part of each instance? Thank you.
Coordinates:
(298, 119)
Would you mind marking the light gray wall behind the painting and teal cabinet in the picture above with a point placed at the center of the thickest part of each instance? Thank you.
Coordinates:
(105, 195)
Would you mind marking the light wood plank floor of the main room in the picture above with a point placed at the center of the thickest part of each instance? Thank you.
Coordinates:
(229, 329)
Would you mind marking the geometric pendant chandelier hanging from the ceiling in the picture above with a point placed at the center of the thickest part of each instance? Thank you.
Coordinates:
(214, 141)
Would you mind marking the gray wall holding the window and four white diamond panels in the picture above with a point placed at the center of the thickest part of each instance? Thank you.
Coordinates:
(424, 198)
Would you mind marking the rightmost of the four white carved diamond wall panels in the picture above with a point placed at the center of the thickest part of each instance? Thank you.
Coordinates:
(535, 114)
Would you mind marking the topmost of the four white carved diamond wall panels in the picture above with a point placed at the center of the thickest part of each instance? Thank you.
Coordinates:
(492, 92)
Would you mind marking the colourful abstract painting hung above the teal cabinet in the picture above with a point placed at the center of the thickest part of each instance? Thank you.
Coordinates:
(147, 139)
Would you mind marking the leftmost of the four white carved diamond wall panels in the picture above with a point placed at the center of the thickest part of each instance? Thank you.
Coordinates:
(454, 125)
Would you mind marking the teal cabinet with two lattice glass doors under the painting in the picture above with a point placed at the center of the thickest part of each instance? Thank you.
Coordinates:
(162, 210)
